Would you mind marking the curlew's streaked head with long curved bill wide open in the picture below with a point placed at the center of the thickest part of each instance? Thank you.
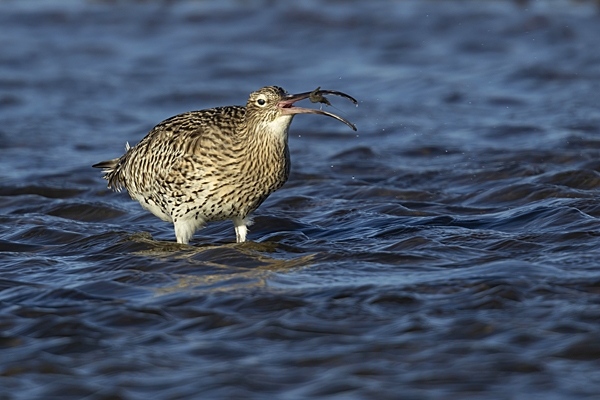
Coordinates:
(273, 108)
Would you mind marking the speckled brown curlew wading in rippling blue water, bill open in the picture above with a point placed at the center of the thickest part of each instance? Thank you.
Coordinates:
(214, 164)
